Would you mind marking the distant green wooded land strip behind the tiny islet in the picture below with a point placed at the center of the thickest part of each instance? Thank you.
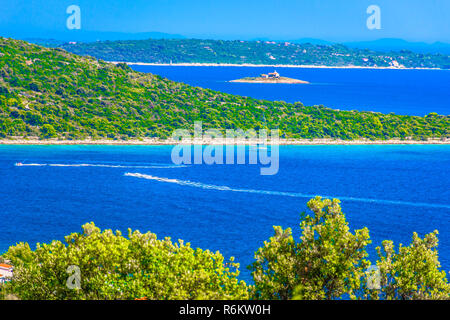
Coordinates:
(254, 52)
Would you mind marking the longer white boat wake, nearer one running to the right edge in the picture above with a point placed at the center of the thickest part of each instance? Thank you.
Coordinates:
(281, 193)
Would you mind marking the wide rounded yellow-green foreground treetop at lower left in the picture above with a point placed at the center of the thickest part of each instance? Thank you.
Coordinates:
(114, 267)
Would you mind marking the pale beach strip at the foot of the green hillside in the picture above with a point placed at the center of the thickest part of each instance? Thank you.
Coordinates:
(158, 142)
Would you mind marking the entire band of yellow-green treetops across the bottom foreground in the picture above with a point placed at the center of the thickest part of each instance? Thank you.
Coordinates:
(329, 262)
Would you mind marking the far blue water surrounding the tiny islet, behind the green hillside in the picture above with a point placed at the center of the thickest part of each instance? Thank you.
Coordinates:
(409, 92)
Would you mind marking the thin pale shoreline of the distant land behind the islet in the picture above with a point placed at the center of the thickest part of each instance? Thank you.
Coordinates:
(265, 65)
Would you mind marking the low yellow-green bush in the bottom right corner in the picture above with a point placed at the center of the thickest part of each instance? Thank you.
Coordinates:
(413, 272)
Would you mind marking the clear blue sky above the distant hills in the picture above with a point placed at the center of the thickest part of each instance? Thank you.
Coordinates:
(335, 20)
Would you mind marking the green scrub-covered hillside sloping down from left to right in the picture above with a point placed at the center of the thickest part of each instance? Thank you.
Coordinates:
(52, 93)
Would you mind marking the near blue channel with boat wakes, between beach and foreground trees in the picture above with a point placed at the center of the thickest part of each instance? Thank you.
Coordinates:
(392, 190)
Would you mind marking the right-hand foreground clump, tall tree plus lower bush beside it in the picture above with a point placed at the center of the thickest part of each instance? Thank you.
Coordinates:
(329, 262)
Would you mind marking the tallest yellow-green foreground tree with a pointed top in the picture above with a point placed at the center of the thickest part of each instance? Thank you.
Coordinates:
(326, 263)
